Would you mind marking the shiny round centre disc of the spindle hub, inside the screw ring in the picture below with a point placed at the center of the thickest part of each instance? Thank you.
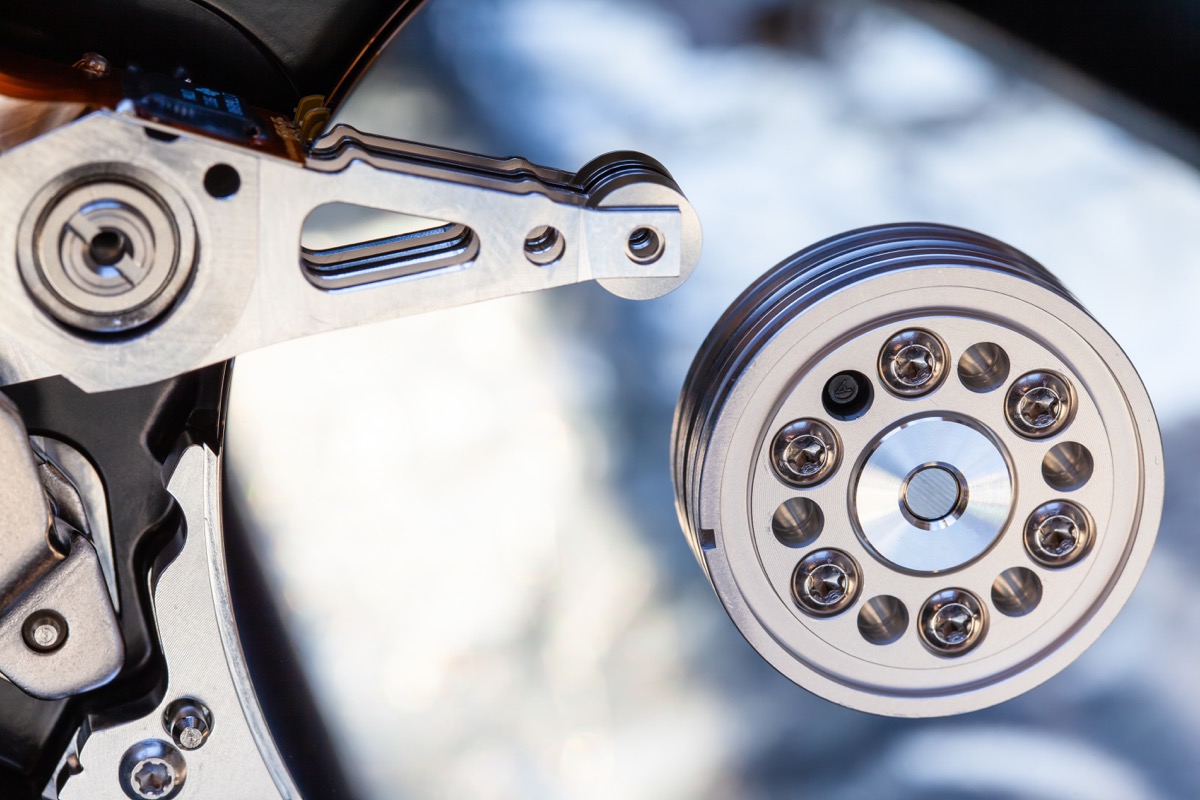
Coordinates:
(968, 519)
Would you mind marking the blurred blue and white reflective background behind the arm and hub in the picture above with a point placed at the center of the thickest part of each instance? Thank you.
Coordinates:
(470, 518)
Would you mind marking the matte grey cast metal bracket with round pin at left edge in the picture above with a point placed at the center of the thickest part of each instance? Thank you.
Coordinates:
(50, 579)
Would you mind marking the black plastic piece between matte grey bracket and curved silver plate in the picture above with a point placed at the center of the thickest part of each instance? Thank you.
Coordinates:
(130, 436)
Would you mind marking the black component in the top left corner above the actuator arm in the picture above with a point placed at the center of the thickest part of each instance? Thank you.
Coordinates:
(271, 53)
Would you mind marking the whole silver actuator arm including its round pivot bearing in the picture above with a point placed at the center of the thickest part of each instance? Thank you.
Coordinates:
(241, 280)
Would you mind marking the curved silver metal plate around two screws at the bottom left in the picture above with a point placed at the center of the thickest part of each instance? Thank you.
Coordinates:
(200, 640)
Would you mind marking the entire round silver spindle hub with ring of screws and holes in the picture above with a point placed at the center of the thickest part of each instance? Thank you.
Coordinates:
(947, 501)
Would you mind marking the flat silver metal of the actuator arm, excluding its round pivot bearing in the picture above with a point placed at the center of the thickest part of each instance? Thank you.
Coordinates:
(249, 290)
